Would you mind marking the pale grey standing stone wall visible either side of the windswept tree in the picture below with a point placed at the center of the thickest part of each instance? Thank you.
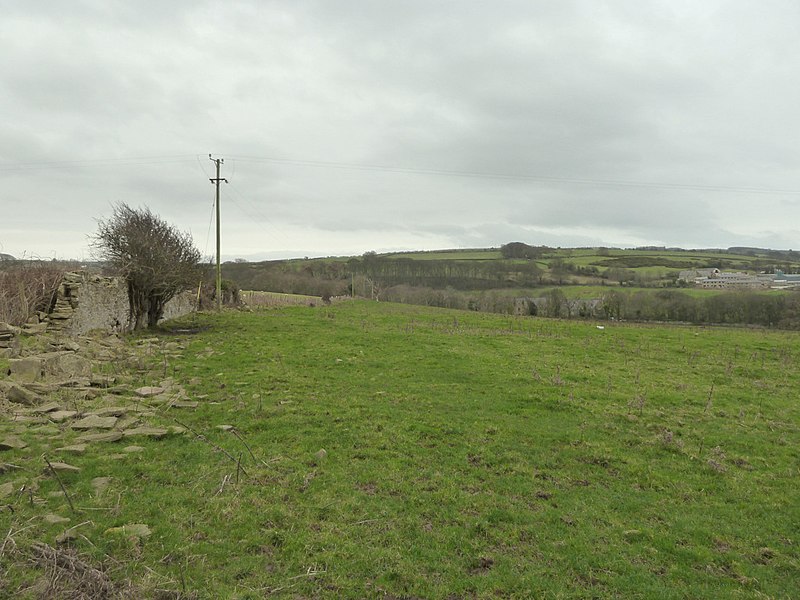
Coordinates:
(86, 302)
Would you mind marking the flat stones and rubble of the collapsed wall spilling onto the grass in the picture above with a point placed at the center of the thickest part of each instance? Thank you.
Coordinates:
(70, 395)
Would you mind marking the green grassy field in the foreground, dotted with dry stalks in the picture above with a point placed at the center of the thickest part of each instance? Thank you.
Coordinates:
(466, 455)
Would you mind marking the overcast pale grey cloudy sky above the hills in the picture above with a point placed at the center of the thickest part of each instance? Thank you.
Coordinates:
(356, 125)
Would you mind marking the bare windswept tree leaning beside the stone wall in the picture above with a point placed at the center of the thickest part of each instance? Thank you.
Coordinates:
(157, 260)
